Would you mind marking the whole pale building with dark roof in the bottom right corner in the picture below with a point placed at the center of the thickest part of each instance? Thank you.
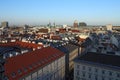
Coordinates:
(96, 66)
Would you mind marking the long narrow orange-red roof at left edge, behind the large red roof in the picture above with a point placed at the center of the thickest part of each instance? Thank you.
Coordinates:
(21, 44)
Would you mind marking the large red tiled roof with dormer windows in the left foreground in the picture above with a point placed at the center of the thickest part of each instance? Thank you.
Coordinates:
(35, 59)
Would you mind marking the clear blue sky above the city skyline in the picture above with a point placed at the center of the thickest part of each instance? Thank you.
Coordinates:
(40, 12)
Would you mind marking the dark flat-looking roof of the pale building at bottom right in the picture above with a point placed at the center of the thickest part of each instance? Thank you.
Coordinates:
(105, 59)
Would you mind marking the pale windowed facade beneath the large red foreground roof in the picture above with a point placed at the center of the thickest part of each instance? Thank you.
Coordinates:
(52, 71)
